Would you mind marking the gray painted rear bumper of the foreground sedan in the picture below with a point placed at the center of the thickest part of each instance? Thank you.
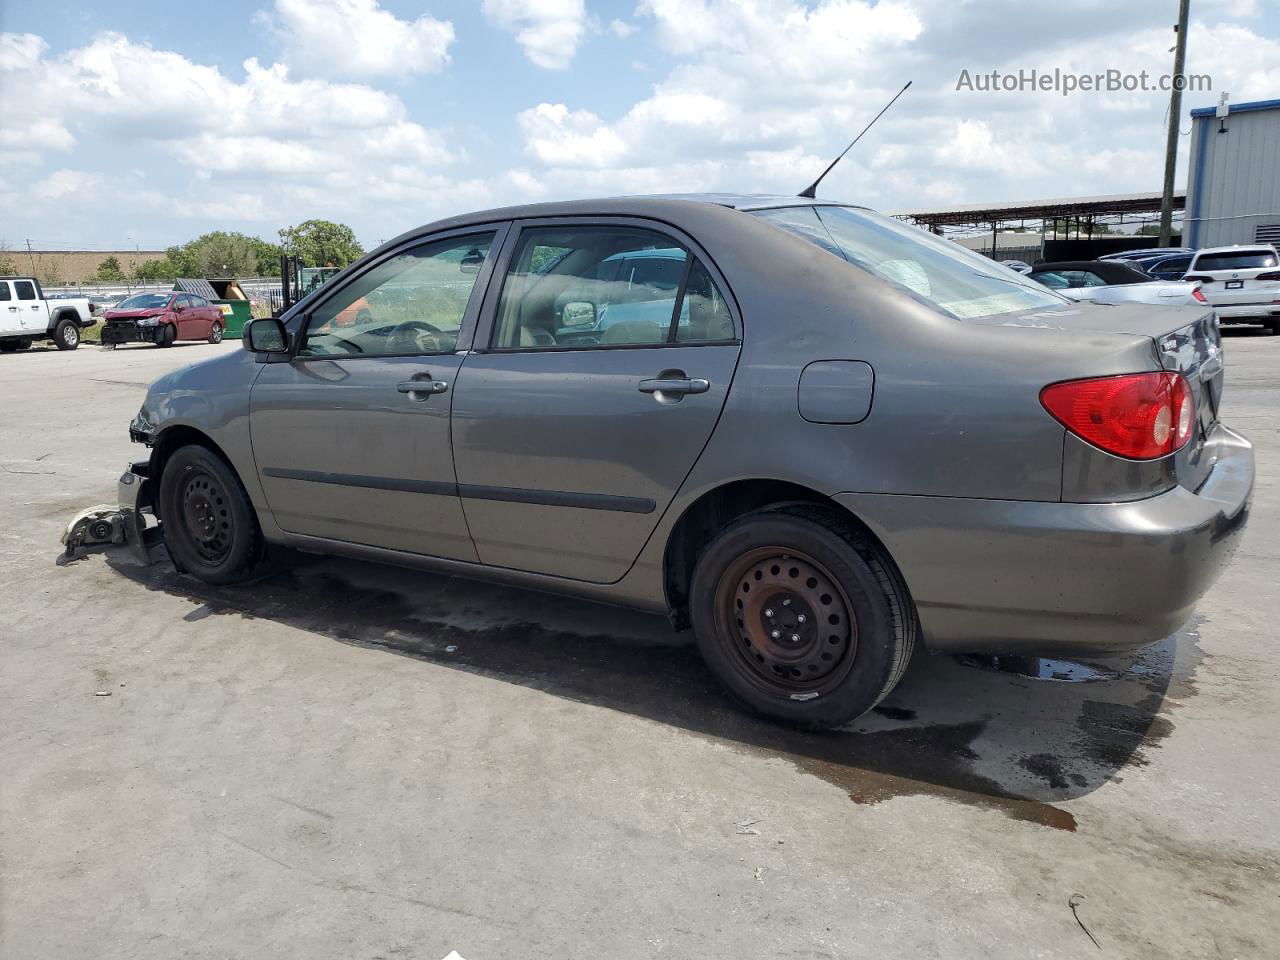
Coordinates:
(1034, 578)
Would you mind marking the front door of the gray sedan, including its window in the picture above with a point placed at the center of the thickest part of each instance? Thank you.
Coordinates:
(351, 435)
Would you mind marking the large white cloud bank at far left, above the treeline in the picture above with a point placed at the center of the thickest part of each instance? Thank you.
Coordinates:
(260, 147)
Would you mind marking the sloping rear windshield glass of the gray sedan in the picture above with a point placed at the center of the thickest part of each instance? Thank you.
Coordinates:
(931, 269)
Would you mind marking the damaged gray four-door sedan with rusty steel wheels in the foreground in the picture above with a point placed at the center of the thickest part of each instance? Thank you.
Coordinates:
(845, 437)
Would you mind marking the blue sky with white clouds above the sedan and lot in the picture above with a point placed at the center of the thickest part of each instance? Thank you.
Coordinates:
(145, 124)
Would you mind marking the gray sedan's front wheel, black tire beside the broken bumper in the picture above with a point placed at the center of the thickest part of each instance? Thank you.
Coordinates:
(209, 525)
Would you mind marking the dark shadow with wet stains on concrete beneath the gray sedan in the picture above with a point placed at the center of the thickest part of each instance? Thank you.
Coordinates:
(972, 730)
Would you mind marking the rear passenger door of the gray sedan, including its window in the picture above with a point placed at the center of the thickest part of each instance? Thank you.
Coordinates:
(591, 394)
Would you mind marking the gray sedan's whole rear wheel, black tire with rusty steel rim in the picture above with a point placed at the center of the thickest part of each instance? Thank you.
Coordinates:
(854, 633)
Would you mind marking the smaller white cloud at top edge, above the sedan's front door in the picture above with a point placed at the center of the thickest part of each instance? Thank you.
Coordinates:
(358, 39)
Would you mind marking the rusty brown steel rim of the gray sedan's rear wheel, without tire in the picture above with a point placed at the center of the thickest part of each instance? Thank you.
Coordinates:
(792, 623)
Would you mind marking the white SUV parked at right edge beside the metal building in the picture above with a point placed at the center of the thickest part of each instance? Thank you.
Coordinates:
(1242, 284)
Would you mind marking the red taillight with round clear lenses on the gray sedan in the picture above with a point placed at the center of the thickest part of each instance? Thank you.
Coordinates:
(1137, 417)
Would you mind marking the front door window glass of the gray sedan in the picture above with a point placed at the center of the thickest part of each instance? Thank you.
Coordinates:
(412, 304)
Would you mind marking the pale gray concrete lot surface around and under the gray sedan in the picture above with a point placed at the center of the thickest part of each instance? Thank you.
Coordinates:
(348, 761)
